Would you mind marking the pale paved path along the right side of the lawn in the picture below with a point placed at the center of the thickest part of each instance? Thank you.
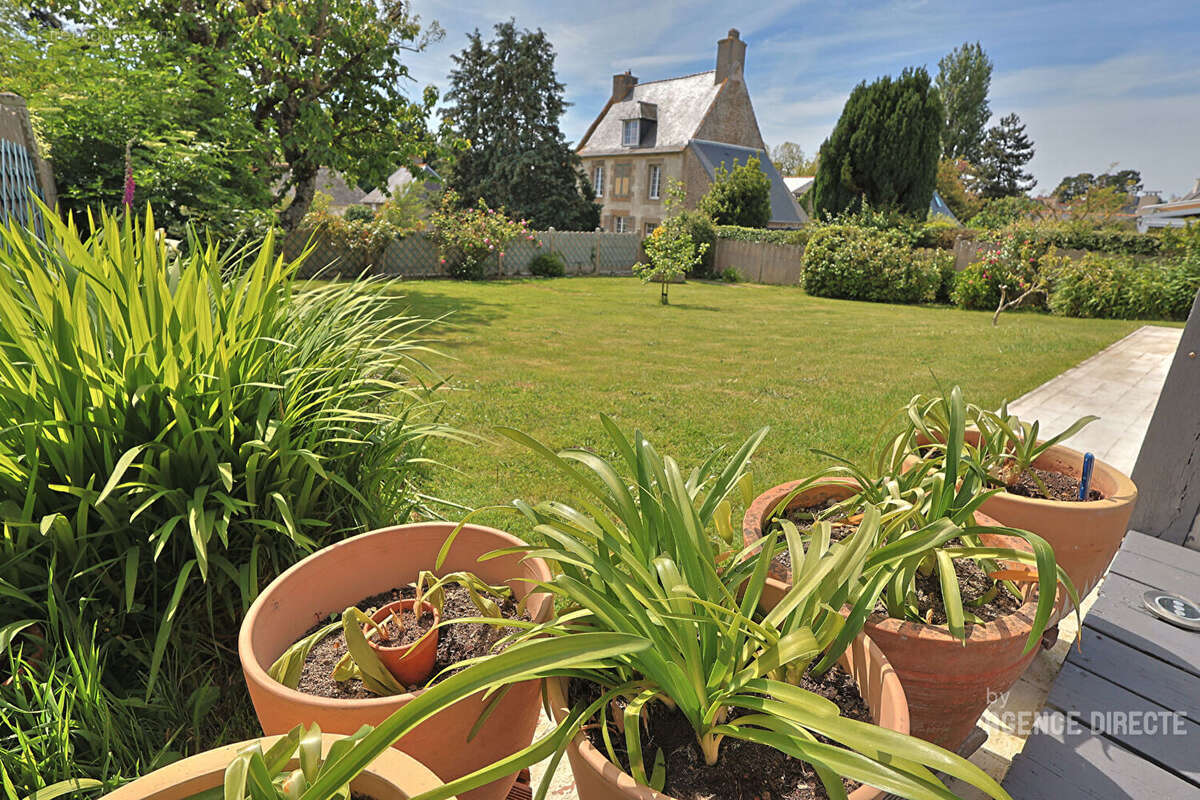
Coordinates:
(1120, 384)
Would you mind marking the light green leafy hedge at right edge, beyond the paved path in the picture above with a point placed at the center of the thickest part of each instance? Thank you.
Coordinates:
(1121, 288)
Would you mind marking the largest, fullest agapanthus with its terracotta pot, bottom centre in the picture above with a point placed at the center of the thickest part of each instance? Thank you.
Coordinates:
(740, 694)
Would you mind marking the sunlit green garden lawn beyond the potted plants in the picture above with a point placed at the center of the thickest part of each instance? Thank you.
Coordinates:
(549, 357)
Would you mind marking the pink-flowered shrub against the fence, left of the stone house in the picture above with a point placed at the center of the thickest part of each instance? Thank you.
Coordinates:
(467, 238)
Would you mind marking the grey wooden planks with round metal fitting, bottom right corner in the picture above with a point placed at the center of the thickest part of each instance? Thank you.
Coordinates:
(1135, 672)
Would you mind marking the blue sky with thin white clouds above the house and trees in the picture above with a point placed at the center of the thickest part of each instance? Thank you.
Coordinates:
(1095, 82)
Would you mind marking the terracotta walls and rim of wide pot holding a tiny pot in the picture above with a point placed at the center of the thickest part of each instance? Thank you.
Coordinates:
(340, 576)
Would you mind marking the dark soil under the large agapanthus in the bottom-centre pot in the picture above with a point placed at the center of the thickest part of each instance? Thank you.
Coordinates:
(746, 771)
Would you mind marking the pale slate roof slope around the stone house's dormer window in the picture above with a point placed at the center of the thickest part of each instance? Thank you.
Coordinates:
(682, 107)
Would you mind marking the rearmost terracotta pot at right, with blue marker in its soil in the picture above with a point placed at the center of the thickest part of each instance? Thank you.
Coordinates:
(1087, 536)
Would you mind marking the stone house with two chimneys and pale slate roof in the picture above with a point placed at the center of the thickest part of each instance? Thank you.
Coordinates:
(680, 129)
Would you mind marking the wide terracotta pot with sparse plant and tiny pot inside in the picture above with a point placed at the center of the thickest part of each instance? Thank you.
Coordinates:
(302, 669)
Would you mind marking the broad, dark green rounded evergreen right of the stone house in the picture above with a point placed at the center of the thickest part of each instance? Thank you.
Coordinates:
(885, 148)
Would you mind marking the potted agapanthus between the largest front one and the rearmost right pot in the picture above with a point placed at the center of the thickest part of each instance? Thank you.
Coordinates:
(961, 617)
